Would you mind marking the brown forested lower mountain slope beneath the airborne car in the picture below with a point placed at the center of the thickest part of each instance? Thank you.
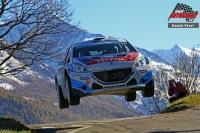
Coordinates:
(32, 111)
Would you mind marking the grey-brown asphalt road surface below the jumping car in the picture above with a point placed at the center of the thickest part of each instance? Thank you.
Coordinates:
(187, 121)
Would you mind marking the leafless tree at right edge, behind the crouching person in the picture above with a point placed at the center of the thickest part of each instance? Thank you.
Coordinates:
(186, 69)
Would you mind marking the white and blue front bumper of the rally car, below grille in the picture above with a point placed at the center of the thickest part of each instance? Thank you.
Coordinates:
(88, 83)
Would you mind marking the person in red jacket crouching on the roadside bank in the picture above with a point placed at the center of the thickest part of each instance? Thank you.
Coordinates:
(176, 90)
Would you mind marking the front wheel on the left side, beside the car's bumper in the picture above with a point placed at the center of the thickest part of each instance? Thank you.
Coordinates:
(73, 99)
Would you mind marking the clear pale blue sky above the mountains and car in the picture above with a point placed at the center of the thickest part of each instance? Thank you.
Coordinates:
(143, 23)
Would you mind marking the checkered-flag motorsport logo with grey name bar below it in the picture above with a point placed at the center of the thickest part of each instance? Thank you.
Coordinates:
(183, 11)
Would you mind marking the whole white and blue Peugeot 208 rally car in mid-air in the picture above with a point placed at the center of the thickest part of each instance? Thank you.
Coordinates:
(102, 66)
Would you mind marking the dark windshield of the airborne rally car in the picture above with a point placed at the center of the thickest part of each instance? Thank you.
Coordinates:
(100, 49)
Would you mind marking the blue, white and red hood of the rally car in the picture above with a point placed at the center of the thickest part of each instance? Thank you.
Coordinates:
(108, 61)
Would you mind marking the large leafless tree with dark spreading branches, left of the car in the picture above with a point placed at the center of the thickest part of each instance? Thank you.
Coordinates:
(30, 31)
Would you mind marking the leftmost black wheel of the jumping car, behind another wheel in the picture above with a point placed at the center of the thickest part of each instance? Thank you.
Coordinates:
(62, 102)
